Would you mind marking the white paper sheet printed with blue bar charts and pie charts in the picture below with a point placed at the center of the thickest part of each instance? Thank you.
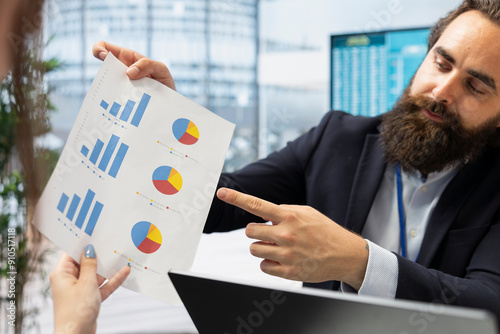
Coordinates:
(141, 161)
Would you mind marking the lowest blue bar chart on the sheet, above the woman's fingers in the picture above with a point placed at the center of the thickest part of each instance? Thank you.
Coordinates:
(81, 217)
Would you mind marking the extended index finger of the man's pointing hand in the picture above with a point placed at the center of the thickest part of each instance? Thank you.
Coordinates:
(252, 204)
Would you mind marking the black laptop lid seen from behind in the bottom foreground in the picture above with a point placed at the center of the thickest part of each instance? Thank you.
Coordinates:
(222, 306)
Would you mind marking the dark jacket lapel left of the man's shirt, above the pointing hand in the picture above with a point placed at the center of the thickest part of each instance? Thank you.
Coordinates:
(369, 173)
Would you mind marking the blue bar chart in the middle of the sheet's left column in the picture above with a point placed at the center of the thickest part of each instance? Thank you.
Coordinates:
(107, 155)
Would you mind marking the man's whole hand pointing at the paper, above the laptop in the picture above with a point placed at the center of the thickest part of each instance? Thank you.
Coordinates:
(302, 244)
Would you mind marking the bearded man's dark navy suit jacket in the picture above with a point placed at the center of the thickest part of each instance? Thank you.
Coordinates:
(337, 168)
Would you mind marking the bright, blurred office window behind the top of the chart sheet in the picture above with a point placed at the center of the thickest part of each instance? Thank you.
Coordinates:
(209, 46)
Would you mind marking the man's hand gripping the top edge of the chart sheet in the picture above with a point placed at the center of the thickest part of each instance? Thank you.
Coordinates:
(138, 65)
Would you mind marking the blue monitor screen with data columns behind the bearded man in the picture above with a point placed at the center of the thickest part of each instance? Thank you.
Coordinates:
(370, 71)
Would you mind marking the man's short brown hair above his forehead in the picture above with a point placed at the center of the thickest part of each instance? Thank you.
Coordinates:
(489, 8)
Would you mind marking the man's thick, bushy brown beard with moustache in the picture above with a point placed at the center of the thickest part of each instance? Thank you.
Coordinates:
(417, 143)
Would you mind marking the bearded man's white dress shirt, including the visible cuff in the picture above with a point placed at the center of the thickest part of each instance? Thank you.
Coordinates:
(382, 230)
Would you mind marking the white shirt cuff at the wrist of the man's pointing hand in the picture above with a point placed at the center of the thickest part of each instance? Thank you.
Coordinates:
(381, 277)
